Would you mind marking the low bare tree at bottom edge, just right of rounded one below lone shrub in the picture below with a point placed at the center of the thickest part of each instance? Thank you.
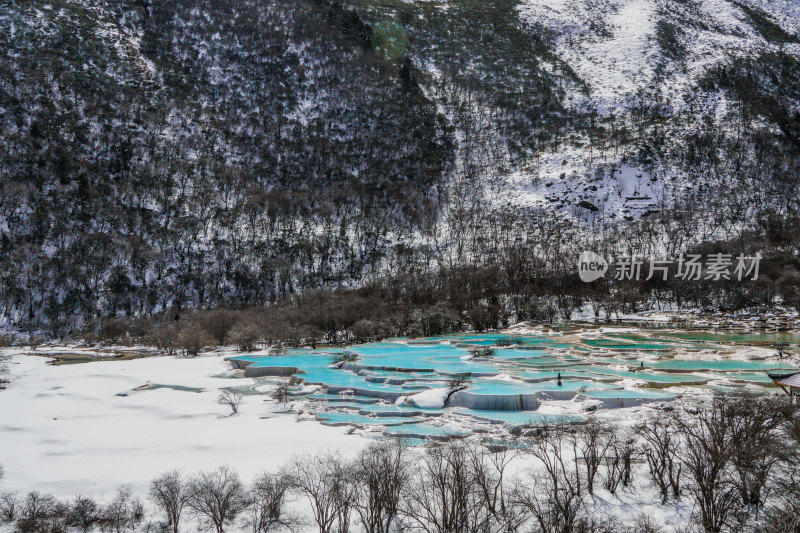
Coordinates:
(266, 506)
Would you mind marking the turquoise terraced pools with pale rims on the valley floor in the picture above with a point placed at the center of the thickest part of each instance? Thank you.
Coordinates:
(445, 386)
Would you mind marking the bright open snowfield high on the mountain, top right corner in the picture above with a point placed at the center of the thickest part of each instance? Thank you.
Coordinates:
(621, 47)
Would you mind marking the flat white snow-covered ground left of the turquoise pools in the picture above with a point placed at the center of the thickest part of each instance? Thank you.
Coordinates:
(82, 429)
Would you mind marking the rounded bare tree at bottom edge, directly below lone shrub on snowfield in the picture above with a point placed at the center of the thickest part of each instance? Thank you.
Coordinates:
(217, 497)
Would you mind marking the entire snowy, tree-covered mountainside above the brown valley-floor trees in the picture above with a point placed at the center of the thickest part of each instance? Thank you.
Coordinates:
(160, 154)
